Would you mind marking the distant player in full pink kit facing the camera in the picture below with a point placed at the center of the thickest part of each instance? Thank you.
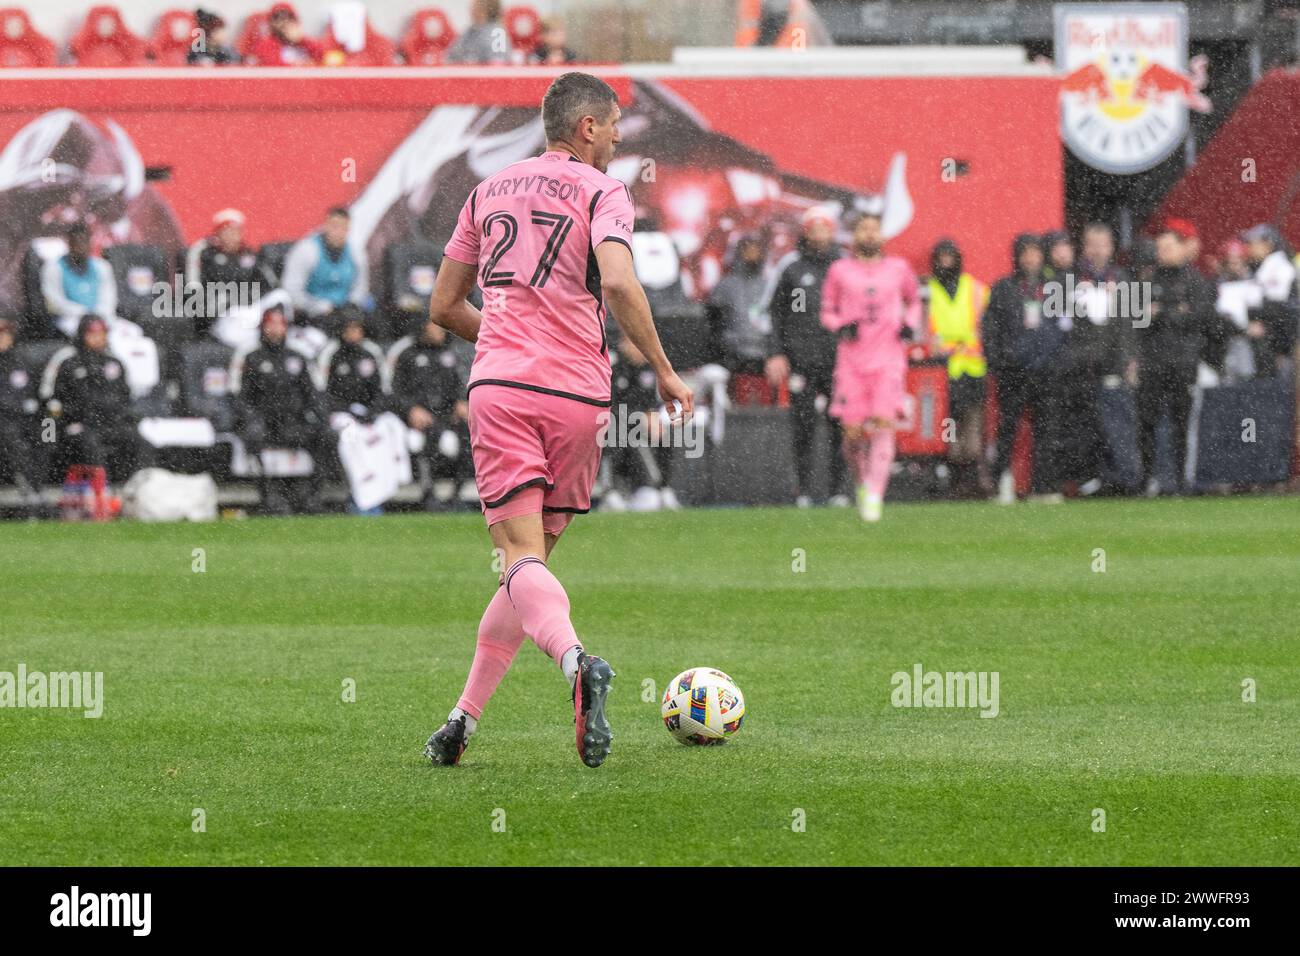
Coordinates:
(872, 302)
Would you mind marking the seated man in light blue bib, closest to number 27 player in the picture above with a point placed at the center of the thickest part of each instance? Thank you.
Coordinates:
(326, 278)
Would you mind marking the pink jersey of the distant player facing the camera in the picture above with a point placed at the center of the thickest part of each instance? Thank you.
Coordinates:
(881, 296)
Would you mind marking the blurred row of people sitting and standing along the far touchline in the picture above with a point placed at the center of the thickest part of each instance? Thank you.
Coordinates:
(314, 352)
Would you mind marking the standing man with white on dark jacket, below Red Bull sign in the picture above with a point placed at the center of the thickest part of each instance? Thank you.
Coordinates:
(1099, 353)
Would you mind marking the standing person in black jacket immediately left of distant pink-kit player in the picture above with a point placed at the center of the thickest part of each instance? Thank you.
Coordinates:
(804, 352)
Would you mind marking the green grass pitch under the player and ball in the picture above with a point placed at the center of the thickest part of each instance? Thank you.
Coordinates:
(1119, 690)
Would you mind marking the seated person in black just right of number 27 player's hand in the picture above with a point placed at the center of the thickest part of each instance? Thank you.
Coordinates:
(644, 468)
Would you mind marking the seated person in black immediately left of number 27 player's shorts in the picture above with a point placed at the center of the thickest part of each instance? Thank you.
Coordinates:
(428, 395)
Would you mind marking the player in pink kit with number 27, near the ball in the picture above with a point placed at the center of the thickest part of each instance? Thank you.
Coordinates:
(548, 241)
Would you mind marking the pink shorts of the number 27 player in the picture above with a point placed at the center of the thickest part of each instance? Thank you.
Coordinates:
(534, 453)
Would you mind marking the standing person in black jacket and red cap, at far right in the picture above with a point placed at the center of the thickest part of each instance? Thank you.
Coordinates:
(1182, 322)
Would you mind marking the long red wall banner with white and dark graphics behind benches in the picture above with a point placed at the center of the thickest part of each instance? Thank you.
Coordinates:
(150, 157)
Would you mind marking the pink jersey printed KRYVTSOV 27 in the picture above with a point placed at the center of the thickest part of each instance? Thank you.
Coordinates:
(532, 231)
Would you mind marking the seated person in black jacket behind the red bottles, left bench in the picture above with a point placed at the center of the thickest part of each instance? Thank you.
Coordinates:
(85, 390)
